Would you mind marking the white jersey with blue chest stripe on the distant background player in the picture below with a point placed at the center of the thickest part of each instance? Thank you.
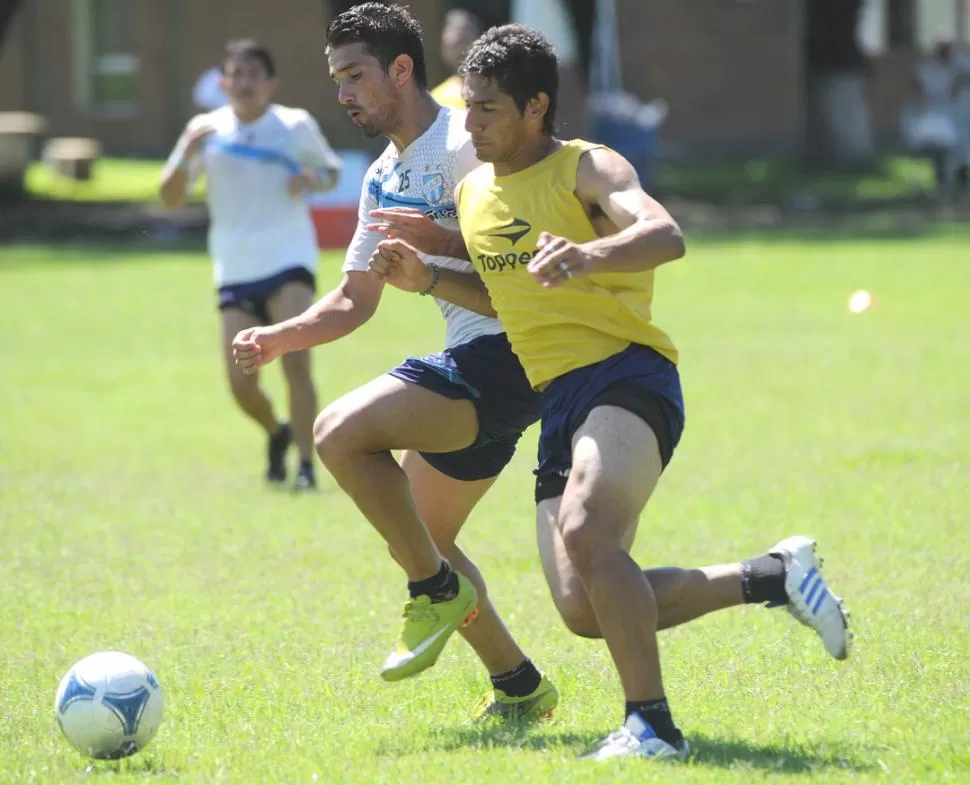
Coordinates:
(256, 228)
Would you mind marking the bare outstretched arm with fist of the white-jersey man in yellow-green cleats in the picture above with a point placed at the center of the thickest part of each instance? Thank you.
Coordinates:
(335, 315)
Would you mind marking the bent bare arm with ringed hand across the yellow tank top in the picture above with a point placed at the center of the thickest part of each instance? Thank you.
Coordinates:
(637, 231)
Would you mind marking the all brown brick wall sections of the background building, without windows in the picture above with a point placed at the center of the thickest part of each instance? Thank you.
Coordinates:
(730, 69)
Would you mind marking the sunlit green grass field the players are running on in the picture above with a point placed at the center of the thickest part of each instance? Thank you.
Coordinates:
(133, 517)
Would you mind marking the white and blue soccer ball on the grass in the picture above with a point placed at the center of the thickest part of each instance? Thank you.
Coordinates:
(109, 705)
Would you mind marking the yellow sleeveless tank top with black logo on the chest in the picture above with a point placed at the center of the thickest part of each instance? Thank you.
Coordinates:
(578, 323)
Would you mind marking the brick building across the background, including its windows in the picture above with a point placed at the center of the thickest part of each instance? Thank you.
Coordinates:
(732, 71)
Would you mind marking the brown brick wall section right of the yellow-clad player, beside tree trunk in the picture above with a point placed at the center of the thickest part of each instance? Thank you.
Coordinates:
(729, 70)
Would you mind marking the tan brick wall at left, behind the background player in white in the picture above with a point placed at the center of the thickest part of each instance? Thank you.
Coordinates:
(177, 41)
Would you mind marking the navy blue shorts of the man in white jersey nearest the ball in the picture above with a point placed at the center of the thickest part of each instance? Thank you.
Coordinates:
(486, 372)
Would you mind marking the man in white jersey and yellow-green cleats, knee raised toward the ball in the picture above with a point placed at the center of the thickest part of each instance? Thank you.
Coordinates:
(457, 414)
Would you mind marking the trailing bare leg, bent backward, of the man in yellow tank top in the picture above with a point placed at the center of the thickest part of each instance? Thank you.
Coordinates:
(682, 594)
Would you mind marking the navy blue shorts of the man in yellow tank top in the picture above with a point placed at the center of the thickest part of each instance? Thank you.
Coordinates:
(637, 379)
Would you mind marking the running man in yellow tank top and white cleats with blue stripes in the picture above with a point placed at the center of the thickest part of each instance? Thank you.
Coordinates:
(565, 243)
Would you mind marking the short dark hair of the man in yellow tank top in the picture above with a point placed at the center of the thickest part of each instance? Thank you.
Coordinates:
(521, 62)
